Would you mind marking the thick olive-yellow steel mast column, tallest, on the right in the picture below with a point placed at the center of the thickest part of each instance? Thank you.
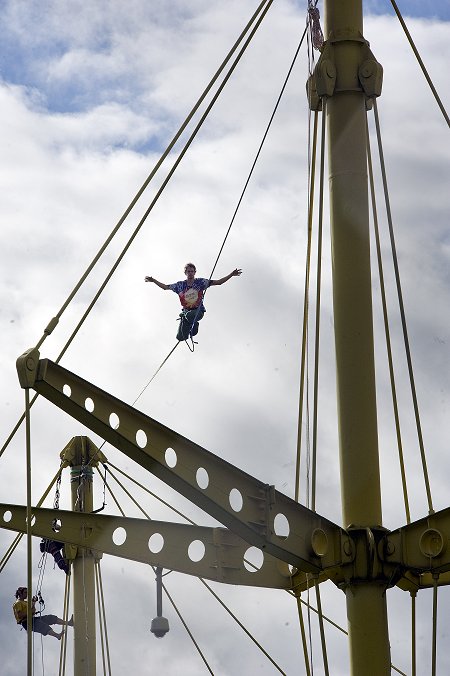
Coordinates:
(360, 481)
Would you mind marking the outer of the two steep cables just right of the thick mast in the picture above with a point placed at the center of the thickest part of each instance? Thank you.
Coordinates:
(402, 311)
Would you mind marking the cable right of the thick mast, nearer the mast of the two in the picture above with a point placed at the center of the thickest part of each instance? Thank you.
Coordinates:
(387, 330)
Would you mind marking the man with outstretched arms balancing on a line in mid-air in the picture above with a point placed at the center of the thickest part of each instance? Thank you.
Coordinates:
(190, 292)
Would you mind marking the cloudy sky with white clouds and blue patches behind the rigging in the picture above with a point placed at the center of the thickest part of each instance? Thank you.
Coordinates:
(91, 94)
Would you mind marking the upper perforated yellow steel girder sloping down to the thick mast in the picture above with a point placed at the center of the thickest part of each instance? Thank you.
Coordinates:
(248, 507)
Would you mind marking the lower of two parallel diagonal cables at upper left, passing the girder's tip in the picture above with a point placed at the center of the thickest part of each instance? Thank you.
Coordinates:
(147, 212)
